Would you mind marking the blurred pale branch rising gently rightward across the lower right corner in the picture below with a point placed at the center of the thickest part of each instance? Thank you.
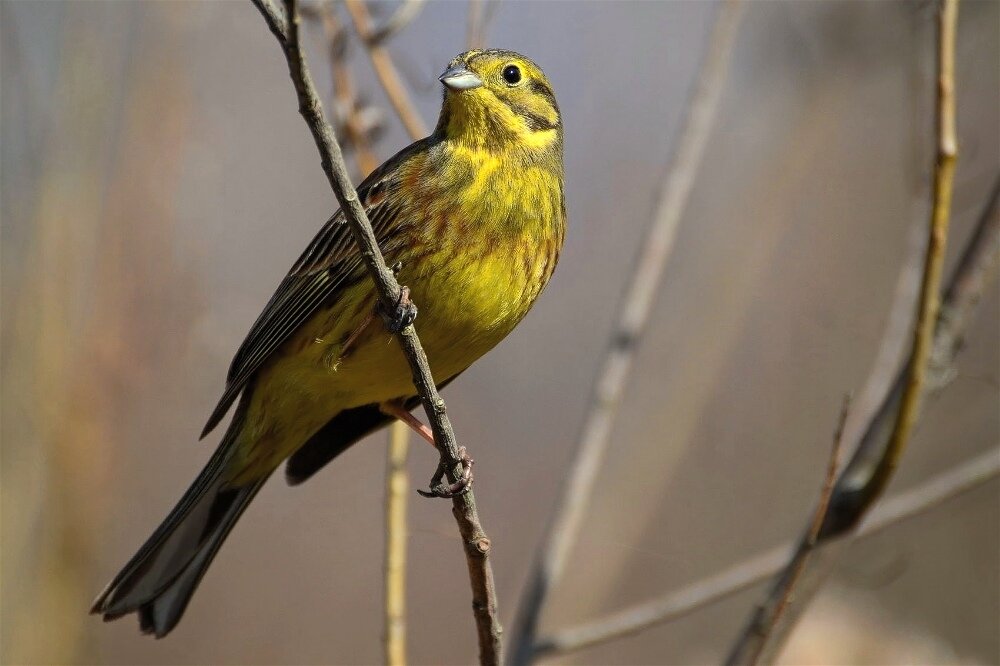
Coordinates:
(928, 495)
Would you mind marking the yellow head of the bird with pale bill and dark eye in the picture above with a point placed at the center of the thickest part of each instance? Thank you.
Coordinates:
(499, 100)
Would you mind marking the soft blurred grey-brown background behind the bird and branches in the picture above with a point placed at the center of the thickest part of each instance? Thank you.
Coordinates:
(157, 182)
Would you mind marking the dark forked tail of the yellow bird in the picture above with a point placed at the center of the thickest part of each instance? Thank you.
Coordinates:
(158, 581)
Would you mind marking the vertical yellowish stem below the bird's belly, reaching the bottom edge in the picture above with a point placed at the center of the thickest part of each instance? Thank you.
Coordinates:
(397, 487)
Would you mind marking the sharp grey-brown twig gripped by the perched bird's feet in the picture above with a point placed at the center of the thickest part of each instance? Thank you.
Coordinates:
(477, 545)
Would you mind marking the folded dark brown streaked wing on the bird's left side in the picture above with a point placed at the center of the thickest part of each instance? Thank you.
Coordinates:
(331, 258)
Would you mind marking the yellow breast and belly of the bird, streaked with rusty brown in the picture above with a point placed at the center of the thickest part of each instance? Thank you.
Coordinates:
(476, 260)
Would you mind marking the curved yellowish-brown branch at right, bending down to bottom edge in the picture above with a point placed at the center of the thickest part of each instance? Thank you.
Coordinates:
(759, 638)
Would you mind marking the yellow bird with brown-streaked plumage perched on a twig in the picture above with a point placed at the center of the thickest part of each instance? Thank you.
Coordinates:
(472, 219)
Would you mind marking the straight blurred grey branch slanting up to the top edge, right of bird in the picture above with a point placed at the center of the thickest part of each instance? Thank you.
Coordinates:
(632, 319)
